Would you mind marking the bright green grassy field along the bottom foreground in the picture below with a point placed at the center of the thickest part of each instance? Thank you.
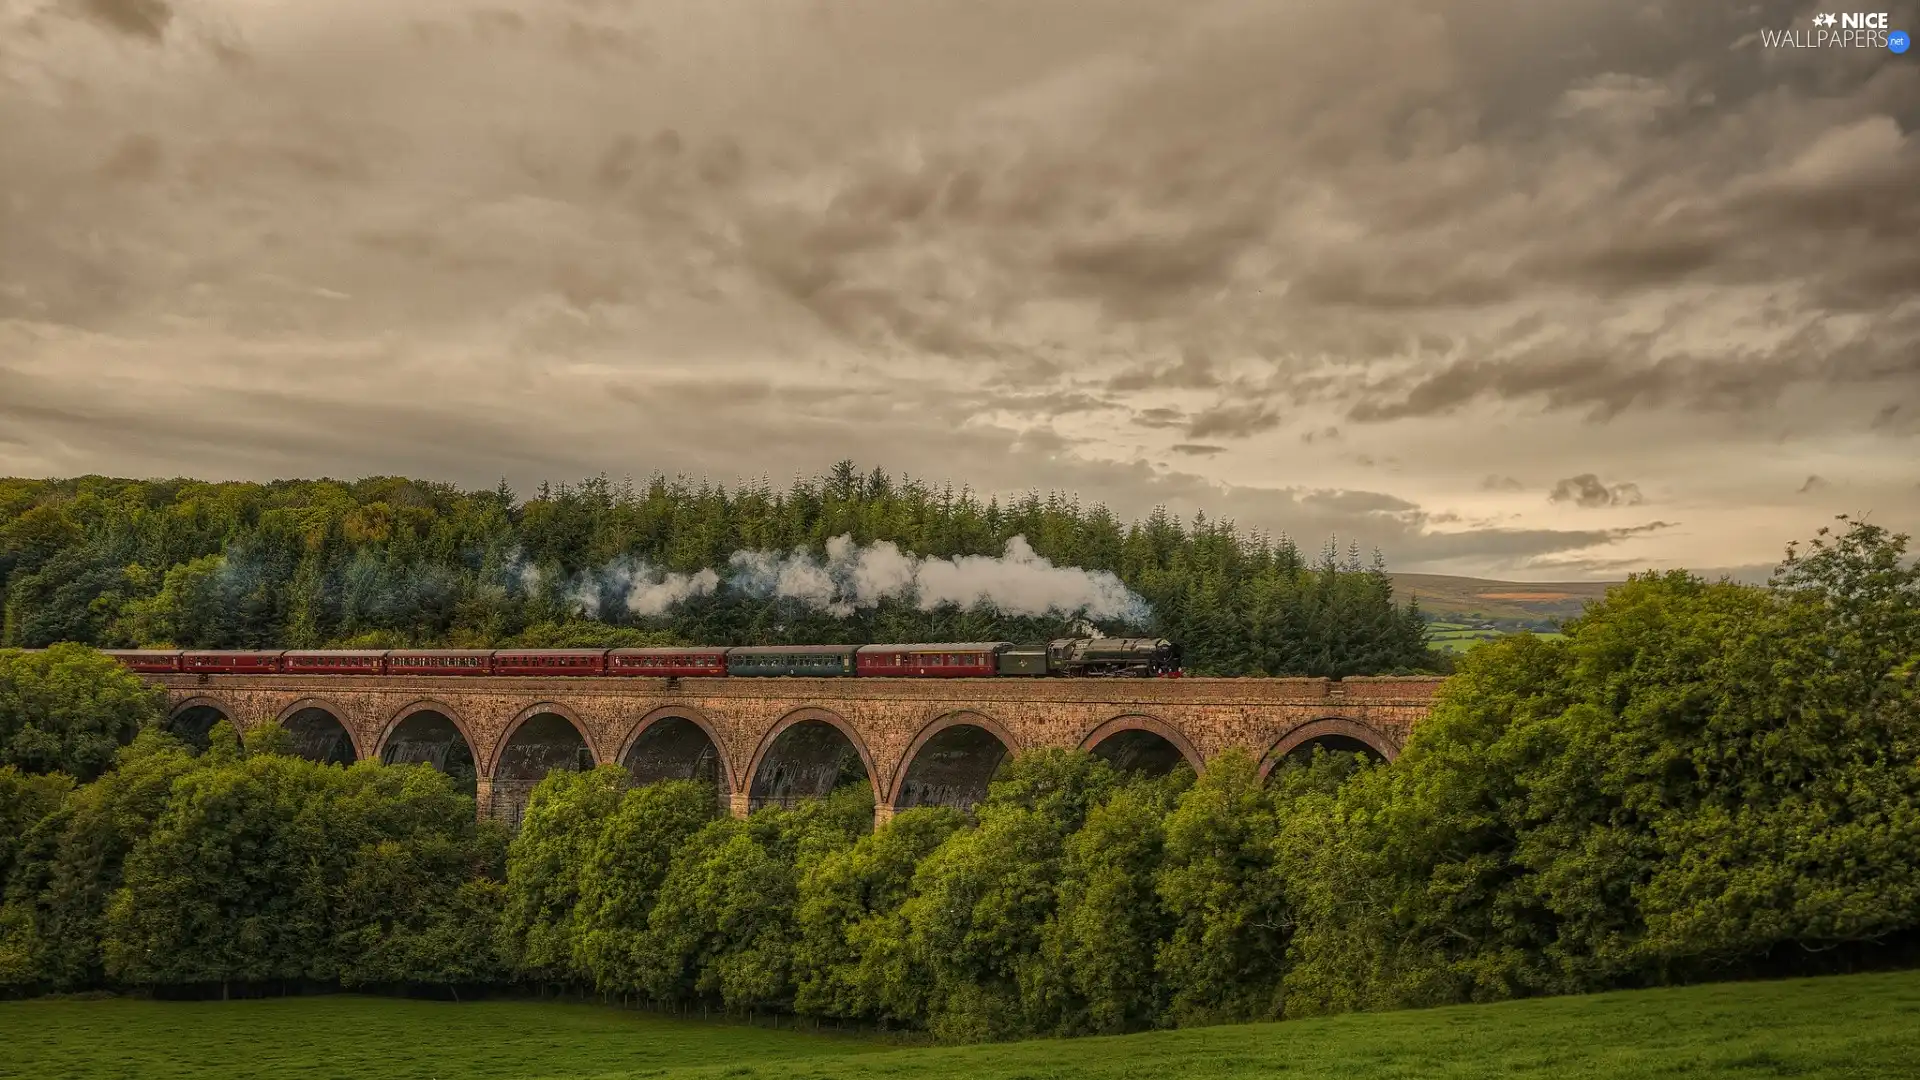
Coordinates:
(1856, 1027)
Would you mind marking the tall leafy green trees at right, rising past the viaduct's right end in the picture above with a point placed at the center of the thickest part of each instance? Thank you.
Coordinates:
(1698, 779)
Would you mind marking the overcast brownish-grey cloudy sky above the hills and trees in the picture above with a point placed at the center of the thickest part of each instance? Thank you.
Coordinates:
(1520, 289)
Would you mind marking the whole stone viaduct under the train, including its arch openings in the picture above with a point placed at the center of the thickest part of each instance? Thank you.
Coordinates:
(775, 741)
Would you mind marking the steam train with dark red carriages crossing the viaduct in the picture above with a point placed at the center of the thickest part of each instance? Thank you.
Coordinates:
(1067, 658)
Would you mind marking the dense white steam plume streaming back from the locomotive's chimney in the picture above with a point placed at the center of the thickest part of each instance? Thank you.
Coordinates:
(1015, 583)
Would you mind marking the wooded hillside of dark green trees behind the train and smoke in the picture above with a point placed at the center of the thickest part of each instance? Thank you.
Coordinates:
(395, 564)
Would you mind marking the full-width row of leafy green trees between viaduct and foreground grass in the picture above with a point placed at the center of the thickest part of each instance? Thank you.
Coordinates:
(1700, 781)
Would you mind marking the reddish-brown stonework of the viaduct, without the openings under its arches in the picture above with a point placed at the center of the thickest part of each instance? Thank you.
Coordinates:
(890, 724)
